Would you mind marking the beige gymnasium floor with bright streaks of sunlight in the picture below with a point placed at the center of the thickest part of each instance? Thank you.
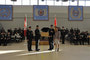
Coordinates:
(18, 51)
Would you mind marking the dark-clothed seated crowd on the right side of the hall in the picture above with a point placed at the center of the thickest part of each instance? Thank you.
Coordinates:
(74, 36)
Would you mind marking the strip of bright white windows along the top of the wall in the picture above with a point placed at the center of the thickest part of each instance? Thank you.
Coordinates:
(46, 2)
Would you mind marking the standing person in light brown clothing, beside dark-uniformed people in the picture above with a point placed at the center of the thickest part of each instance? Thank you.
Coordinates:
(57, 39)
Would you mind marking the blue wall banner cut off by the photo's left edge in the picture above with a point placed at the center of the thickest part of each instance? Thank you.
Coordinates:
(6, 12)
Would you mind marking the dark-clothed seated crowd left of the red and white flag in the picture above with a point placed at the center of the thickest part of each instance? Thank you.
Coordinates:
(11, 36)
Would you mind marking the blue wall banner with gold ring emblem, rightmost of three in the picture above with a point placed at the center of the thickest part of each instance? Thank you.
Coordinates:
(75, 13)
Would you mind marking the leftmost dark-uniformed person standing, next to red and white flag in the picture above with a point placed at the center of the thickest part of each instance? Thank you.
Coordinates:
(29, 38)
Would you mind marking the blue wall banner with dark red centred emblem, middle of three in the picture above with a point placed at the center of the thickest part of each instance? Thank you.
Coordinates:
(40, 12)
